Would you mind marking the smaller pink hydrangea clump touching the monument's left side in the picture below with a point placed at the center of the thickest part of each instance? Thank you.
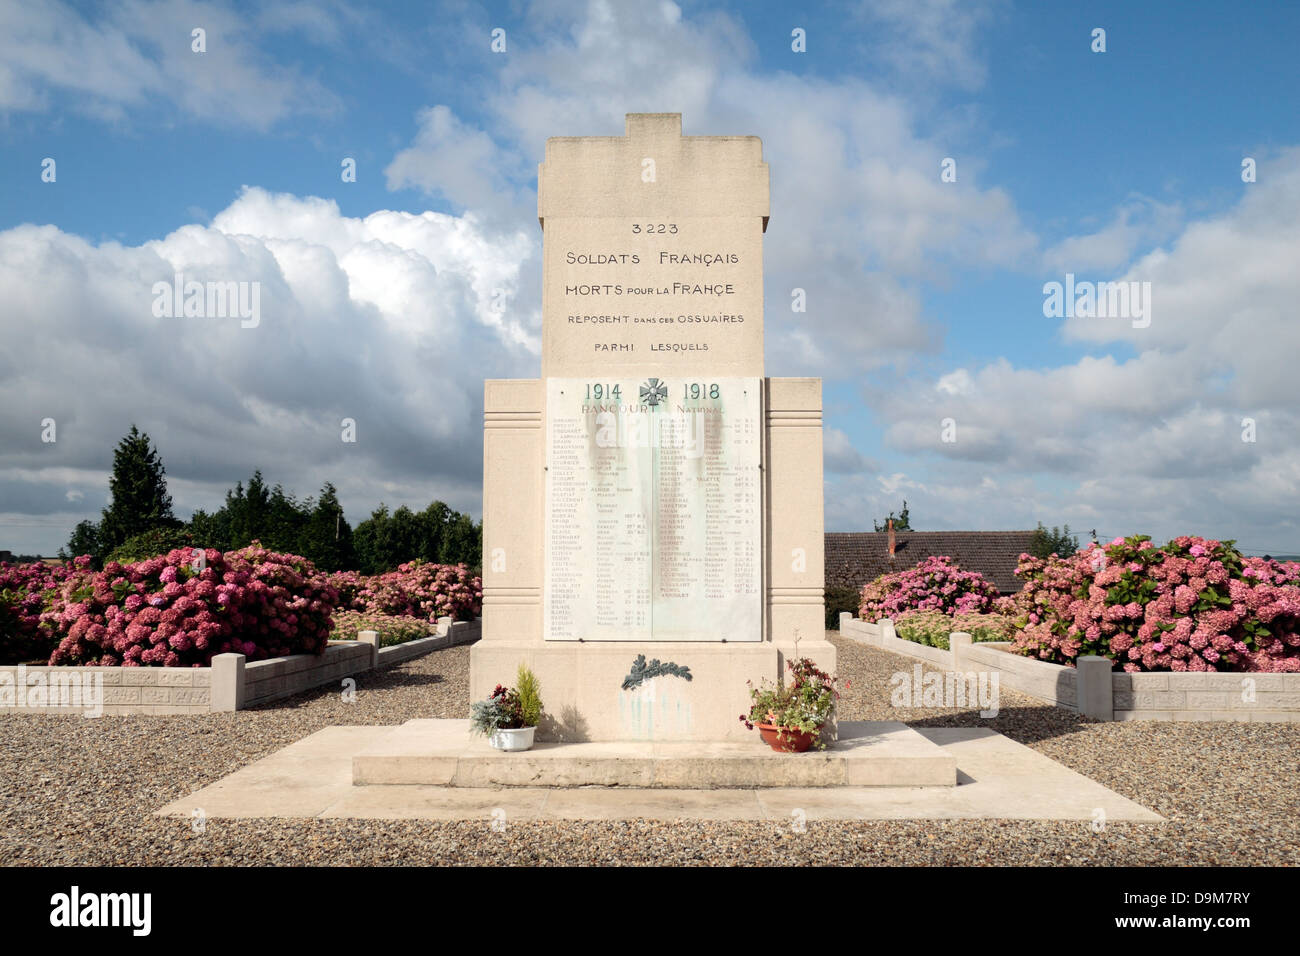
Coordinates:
(415, 590)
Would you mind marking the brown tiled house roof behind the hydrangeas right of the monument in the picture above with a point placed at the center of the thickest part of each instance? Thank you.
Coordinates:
(855, 559)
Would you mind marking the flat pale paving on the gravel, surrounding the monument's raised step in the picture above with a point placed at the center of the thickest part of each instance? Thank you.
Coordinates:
(996, 780)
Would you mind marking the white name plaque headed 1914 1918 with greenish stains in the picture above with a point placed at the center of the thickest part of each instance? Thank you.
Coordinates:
(655, 509)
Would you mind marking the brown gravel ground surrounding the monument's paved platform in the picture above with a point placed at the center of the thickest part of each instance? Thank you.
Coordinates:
(83, 791)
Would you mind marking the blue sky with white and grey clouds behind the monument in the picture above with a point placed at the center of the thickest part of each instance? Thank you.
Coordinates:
(926, 299)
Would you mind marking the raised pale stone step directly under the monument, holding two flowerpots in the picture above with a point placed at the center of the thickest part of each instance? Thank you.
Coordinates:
(869, 754)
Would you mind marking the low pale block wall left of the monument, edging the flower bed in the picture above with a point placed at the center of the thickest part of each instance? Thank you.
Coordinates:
(231, 684)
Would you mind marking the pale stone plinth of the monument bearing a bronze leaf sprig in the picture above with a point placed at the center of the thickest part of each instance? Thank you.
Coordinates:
(583, 686)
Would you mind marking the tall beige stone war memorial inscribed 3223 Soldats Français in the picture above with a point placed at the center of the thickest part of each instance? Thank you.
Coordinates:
(653, 504)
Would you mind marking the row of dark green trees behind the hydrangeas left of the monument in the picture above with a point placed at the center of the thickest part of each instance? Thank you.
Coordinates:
(140, 524)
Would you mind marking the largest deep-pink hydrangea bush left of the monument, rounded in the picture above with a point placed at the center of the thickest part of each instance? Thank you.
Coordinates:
(166, 612)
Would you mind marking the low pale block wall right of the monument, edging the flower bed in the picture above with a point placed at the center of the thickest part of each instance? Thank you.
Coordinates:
(1097, 691)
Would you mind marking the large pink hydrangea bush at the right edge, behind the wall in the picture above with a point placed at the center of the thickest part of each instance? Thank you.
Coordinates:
(1193, 605)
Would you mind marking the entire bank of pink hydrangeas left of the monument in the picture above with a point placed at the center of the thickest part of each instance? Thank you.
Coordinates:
(175, 611)
